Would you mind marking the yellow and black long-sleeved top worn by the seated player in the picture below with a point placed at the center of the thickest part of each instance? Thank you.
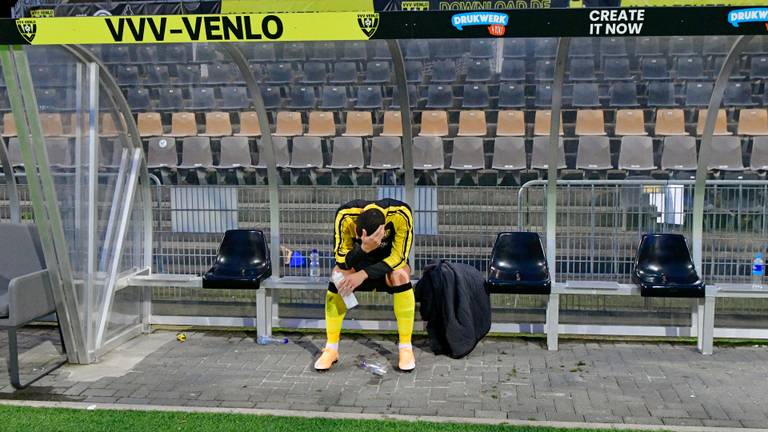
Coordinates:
(395, 246)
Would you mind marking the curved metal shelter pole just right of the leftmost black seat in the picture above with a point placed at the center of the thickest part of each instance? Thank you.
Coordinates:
(268, 158)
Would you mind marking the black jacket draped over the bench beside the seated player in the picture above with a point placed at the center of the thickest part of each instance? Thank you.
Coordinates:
(456, 307)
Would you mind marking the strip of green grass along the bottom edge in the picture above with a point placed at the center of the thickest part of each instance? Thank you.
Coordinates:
(59, 419)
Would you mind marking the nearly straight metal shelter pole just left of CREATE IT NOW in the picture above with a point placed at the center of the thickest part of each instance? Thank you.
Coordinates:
(553, 154)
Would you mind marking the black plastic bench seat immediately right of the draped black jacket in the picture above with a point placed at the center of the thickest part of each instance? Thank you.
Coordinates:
(518, 265)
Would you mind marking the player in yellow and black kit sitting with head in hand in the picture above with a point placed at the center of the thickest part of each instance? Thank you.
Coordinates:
(372, 242)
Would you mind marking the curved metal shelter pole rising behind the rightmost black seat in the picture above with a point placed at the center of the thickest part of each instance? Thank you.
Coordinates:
(699, 188)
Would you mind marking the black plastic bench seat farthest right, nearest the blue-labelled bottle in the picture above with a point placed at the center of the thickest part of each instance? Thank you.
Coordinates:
(664, 268)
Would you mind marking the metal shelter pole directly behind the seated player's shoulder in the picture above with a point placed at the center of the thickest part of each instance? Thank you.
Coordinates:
(405, 117)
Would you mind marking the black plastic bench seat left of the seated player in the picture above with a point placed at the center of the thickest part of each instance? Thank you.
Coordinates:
(242, 261)
